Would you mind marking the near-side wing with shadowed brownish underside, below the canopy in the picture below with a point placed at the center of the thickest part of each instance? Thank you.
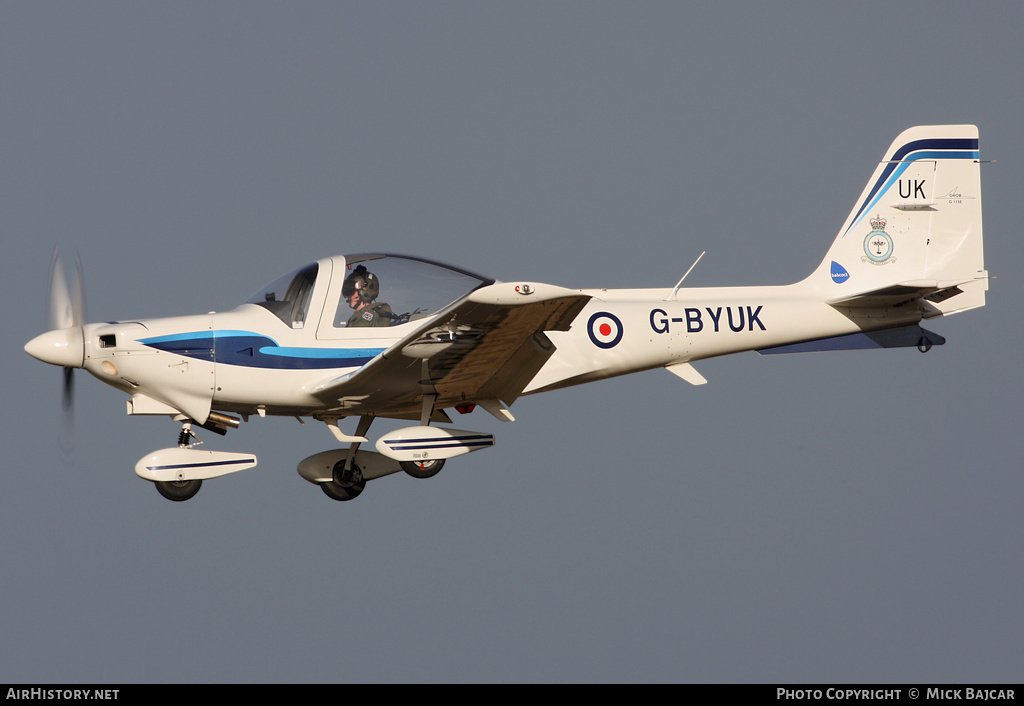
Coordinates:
(487, 347)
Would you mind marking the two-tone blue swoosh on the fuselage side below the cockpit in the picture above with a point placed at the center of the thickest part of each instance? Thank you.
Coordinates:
(254, 351)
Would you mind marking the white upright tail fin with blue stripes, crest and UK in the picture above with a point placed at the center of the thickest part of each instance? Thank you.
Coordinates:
(917, 228)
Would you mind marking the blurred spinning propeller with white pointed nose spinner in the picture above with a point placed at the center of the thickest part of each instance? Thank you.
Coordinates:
(64, 345)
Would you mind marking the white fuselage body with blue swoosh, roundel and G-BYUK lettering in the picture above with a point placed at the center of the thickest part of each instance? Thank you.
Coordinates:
(216, 361)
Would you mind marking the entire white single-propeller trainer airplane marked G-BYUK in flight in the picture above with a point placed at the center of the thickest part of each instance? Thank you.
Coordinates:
(402, 338)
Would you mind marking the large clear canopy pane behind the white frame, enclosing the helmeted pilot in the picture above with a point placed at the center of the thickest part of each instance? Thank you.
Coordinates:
(388, 290)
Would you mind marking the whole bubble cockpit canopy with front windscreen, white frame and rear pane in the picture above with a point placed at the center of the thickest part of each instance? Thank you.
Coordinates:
(404, 289)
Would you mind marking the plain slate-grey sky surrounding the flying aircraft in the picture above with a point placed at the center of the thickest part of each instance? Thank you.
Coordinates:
(848, 517)
